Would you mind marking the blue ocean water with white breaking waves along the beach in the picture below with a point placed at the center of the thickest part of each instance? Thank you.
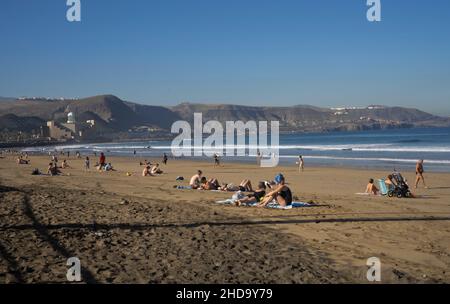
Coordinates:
(386, 149)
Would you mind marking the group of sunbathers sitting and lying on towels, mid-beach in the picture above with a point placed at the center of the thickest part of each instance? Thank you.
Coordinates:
(278, 190)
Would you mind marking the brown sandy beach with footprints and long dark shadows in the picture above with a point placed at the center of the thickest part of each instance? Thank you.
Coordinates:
(134, 229)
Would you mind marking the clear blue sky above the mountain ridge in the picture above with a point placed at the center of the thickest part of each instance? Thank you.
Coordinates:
(286, 52)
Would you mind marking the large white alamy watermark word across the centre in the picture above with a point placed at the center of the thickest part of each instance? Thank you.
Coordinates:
(236, 135)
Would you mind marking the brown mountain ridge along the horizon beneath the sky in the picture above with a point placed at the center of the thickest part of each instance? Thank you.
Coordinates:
(121, 116)
